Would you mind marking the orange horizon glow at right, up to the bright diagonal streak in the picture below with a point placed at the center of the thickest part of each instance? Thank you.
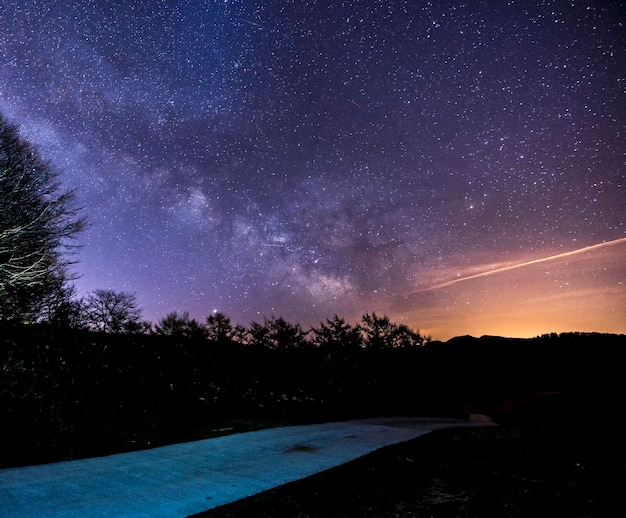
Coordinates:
(579, 290)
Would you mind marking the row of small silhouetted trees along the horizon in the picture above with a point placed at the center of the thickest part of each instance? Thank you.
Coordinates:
(118, 313)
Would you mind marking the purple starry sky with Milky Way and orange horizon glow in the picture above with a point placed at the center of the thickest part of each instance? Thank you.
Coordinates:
(458, 166)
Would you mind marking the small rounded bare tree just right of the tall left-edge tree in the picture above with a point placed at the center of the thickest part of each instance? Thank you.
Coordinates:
(113, 312)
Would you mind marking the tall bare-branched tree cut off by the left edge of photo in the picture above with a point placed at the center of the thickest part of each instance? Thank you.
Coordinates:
(37, 223)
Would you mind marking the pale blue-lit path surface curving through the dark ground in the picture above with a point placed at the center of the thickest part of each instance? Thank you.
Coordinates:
(183, 479)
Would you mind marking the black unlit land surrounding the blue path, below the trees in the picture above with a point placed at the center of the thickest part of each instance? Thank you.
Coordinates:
(74, 394)
